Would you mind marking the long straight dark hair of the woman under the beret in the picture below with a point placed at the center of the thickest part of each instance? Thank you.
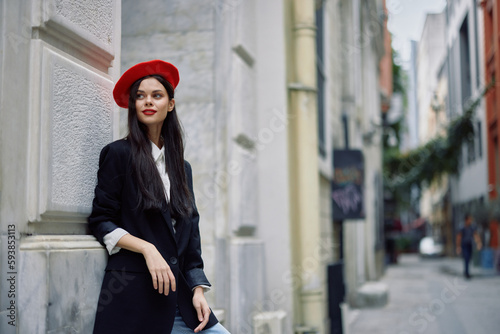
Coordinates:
(144, 170)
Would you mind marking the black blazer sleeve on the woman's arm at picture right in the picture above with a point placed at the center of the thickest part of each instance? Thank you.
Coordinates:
(193, 263)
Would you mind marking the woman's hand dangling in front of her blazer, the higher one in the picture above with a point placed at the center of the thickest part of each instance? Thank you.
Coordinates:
(162, 275)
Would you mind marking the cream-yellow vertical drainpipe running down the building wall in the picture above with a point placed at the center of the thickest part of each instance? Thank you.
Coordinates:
(309, 291)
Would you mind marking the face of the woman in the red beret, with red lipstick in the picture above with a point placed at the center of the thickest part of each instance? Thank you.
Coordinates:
(152, 103)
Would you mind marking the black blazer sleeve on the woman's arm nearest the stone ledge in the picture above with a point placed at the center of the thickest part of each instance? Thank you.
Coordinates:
(105, 216)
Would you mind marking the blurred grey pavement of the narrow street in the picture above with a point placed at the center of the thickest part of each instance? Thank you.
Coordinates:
(431, 296)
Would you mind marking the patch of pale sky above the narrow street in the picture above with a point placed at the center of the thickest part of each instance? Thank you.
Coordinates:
(406, 21)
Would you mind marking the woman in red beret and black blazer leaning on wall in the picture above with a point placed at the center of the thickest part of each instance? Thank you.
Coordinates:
(144, 213)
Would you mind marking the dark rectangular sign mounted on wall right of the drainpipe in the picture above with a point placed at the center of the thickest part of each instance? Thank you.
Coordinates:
(347, 185)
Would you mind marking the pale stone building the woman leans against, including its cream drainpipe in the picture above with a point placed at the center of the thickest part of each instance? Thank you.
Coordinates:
(265, 89)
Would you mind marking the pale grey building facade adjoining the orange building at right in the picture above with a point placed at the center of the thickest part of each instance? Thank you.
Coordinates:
(466, 80)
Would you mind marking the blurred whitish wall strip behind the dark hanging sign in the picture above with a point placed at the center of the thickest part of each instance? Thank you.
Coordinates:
(361, 52)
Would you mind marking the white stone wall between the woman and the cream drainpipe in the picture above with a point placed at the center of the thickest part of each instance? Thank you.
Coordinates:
(231, 100)
